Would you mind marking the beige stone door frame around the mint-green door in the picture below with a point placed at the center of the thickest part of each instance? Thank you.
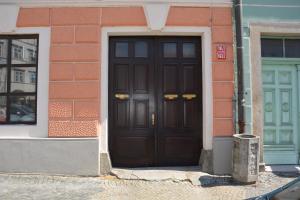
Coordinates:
(257, 30)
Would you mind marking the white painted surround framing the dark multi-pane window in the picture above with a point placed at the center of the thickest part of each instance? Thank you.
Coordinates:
(39, 130)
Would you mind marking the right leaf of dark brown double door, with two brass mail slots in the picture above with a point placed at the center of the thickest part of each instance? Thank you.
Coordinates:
(179, 119)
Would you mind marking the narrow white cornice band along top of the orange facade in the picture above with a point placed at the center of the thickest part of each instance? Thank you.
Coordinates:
(95, 3)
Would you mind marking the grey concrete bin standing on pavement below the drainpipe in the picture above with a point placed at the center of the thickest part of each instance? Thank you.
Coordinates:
(245, 158)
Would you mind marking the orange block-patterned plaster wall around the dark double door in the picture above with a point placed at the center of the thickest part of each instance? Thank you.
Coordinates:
(75, 61)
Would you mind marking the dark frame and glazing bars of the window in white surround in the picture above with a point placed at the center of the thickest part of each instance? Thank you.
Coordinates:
(9, 66)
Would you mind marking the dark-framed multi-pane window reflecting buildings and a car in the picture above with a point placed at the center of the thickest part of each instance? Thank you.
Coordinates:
(18, 75)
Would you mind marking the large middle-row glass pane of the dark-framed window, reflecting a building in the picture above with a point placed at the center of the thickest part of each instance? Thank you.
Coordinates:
(23, 79)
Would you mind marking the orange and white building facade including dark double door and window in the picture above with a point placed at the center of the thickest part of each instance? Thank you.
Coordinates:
(89, 86)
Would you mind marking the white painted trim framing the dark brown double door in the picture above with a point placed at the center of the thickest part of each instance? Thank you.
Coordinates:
(204, 32)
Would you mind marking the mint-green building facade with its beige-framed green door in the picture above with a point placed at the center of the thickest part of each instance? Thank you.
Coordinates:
(271, 59)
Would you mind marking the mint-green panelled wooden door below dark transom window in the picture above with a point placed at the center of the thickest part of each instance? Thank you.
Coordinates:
(280, 92)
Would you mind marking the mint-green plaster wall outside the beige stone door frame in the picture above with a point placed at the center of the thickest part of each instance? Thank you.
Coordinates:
(255, 11)
